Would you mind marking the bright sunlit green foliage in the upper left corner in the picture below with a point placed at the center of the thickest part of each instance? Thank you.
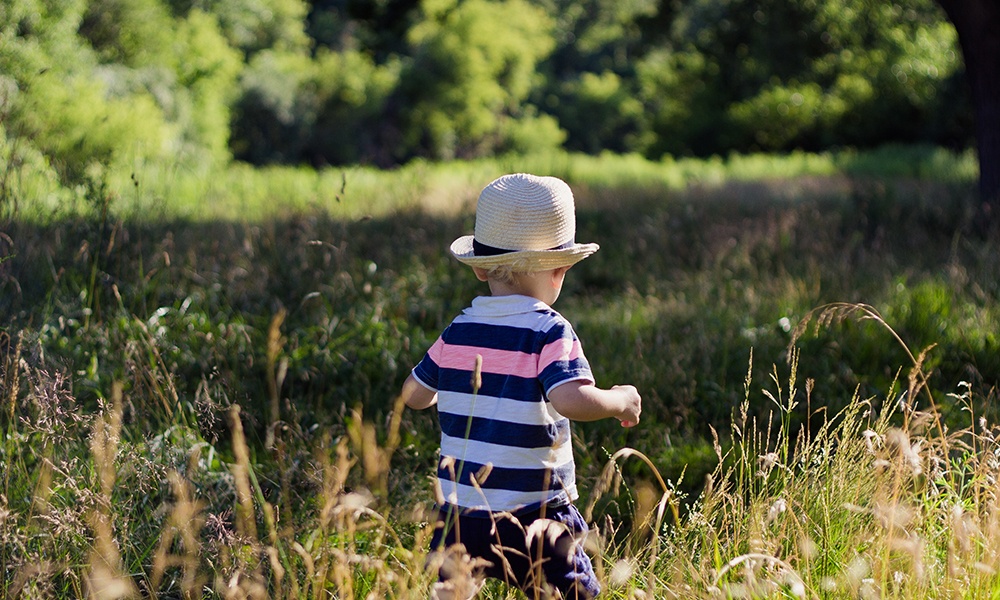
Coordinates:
(111, 85)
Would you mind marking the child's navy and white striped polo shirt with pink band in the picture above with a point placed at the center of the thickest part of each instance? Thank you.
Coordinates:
(506, 434)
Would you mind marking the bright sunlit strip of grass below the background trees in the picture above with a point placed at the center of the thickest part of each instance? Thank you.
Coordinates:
(239, 192)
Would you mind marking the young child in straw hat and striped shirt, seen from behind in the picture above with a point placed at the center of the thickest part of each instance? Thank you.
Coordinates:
(508, 375)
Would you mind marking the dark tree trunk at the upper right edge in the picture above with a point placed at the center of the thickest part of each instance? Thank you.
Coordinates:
(978, 25)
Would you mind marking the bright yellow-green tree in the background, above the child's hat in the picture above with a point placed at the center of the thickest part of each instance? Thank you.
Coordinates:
(474, 63)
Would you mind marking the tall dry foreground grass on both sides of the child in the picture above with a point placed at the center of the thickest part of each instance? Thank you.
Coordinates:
(881, 500)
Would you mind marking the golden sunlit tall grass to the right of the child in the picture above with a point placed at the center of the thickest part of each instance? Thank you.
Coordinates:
(883, 500)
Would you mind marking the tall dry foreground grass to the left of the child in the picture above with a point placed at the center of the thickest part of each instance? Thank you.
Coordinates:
(90, 509)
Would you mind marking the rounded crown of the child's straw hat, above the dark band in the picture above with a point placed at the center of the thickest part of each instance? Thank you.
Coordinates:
(525, 212)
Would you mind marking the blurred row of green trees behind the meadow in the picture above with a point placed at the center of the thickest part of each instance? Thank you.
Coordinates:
(382, 82)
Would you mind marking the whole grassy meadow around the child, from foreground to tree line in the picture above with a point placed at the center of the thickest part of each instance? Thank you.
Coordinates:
(199, 374)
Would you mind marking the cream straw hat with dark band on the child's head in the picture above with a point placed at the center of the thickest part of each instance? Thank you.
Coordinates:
(524, 221)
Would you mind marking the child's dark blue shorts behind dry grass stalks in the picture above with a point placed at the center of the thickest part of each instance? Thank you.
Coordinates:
(556, 557)
